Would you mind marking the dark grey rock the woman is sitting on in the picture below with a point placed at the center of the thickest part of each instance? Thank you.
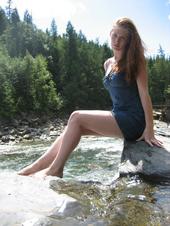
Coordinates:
(152, 163)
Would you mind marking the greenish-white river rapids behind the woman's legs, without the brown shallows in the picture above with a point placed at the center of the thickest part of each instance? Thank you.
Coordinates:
(94, 159)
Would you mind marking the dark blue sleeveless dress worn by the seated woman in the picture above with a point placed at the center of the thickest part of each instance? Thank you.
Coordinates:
(127, 107)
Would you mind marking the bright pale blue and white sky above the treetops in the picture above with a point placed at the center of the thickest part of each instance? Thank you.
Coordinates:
(95, 18)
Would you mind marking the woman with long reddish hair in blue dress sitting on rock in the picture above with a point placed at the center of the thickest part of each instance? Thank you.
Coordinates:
(131, 117)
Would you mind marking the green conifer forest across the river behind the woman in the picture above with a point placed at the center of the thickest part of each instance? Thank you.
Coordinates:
(42, 72)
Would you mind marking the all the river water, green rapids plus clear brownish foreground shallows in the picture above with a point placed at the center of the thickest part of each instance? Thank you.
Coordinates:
(88, 177)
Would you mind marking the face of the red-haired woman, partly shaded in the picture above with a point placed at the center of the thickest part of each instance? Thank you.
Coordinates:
(119, 37)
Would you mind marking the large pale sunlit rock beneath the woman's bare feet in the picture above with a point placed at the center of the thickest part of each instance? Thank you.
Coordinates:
(29, 201)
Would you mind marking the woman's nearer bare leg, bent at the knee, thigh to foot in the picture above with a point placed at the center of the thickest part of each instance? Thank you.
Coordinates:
(99, 122)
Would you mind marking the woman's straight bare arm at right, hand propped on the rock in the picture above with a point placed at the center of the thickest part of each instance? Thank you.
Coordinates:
(148, 134)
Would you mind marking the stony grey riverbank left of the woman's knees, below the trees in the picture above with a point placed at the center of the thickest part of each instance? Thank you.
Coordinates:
(31, 128)
